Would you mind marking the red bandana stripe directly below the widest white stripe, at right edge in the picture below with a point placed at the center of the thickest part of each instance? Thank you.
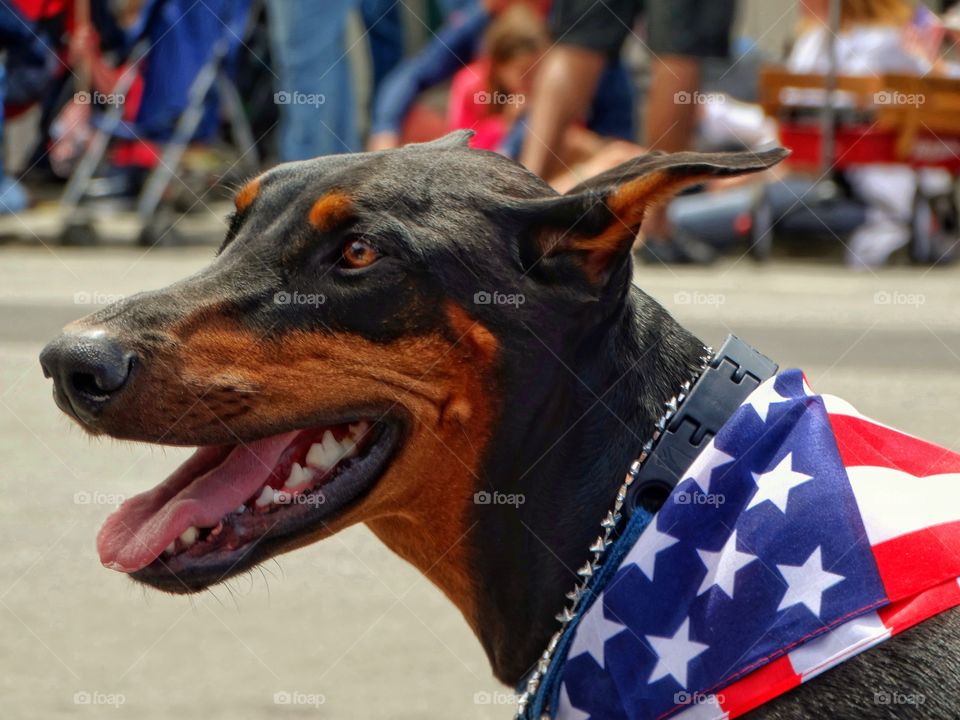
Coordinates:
(919, 560)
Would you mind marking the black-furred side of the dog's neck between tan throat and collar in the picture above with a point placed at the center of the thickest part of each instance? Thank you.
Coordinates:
(563, 454)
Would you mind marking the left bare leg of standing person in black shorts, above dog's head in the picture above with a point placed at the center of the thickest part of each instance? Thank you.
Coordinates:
(566, 81)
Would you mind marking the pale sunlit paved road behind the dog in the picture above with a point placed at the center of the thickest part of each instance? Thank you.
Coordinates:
(345, 621)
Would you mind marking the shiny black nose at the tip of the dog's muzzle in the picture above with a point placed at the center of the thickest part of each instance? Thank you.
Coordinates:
(87, 370)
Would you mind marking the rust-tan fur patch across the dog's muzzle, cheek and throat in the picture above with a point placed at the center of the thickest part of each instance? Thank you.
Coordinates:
(229, 383)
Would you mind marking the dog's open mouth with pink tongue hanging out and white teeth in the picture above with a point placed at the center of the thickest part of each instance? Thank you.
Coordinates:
(228, 505)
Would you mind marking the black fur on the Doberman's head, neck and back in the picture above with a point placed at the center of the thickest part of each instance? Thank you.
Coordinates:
(585, 363)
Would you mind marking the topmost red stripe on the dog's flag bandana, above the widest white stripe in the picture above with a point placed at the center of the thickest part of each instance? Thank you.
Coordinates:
(862, 442)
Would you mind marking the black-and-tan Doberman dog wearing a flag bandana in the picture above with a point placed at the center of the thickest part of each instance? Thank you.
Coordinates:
(381, 337)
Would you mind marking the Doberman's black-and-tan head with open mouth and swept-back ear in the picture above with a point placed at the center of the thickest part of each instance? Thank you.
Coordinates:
(343, 357)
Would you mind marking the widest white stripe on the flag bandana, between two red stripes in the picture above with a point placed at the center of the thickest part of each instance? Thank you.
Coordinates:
(893, 503)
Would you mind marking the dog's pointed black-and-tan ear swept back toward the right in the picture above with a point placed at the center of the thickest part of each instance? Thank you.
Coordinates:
(596, 222)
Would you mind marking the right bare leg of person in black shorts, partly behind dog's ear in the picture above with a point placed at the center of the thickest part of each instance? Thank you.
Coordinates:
(668, 122)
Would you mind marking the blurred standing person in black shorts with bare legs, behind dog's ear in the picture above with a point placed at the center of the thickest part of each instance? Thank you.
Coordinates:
(680, 33)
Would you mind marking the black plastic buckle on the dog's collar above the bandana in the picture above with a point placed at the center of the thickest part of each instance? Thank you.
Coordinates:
(735, 371)
